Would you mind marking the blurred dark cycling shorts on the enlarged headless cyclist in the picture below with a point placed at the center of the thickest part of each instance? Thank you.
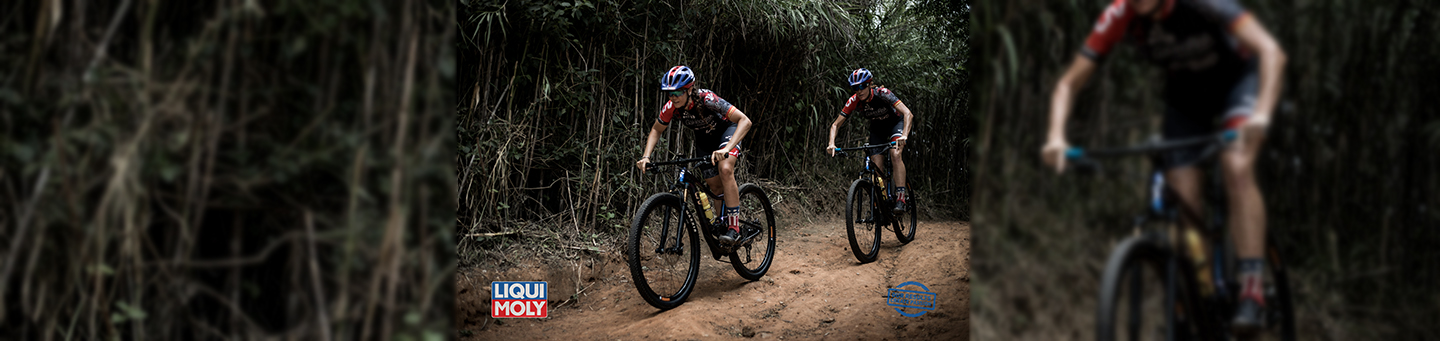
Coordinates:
(1241, 103)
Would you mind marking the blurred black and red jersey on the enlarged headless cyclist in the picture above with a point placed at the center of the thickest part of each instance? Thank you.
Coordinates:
(1193, 41)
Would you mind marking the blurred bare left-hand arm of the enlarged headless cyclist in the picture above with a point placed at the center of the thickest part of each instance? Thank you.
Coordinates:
(1079, 73)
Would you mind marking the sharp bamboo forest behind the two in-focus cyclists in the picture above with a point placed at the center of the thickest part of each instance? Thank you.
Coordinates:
(558, 99)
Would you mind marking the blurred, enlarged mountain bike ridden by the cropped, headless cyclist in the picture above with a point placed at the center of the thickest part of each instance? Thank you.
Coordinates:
(1190, 291)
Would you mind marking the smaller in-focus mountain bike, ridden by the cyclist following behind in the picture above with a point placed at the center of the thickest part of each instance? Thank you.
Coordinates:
(868, 208)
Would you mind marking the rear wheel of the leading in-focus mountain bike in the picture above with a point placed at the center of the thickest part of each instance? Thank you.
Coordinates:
(758, 219)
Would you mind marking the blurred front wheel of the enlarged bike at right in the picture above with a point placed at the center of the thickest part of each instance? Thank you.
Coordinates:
(1134, 303)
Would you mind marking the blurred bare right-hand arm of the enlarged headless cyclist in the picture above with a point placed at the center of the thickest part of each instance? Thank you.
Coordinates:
(1254, 37)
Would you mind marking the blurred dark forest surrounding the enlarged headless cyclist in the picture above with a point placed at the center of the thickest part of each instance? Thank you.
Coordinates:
(1349, 176)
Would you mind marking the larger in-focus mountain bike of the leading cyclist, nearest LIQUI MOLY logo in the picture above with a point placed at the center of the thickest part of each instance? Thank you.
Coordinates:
(663, 265)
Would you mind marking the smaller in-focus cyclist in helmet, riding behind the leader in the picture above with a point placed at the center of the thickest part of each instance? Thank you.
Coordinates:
(889, 123)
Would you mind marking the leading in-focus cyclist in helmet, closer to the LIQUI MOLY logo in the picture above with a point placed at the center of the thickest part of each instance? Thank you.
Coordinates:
(718, 124)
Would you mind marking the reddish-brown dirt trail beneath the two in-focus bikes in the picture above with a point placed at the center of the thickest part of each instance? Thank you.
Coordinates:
(814, 291)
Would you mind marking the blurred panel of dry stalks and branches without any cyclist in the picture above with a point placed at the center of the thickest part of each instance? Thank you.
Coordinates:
(234, 169)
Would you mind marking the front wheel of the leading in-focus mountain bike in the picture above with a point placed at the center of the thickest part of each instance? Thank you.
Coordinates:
(665, 273)
